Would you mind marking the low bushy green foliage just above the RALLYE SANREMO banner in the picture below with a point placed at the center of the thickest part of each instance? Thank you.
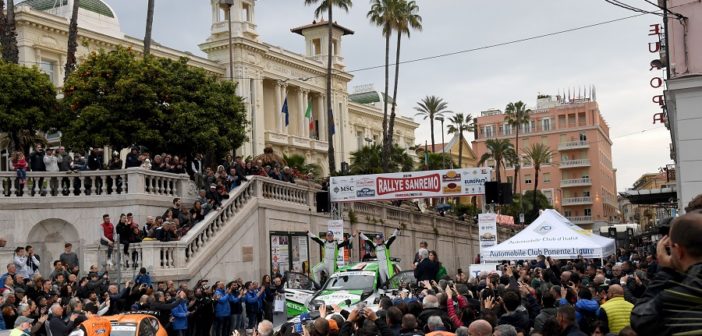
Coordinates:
(367, 160)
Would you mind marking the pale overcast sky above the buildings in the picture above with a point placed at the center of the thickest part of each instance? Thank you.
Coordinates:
(613, 57)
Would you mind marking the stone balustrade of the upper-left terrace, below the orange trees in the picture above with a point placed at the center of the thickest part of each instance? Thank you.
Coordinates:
(98, 183)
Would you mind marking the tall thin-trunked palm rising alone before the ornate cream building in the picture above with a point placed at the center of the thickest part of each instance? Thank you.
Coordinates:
(327, 5)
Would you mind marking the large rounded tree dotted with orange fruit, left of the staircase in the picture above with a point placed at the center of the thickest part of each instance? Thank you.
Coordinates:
(116, 99)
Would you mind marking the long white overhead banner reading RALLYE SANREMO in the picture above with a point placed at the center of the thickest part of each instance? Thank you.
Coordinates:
(420, 184)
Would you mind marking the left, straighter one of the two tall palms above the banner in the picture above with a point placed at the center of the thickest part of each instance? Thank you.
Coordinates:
(382, 14)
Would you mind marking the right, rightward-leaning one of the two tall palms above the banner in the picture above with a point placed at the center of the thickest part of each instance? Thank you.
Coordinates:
(406, 20)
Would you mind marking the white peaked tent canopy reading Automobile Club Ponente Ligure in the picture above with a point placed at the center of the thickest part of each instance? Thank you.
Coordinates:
(551, 235)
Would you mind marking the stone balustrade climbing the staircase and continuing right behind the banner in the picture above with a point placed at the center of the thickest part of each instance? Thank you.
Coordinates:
(164, 257)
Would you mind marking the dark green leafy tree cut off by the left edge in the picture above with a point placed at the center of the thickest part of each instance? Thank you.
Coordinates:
(27, 104)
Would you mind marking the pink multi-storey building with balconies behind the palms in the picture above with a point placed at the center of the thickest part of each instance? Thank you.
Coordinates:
(580, 181)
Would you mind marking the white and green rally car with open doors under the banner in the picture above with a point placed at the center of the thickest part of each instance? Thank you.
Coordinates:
(347, 287)
